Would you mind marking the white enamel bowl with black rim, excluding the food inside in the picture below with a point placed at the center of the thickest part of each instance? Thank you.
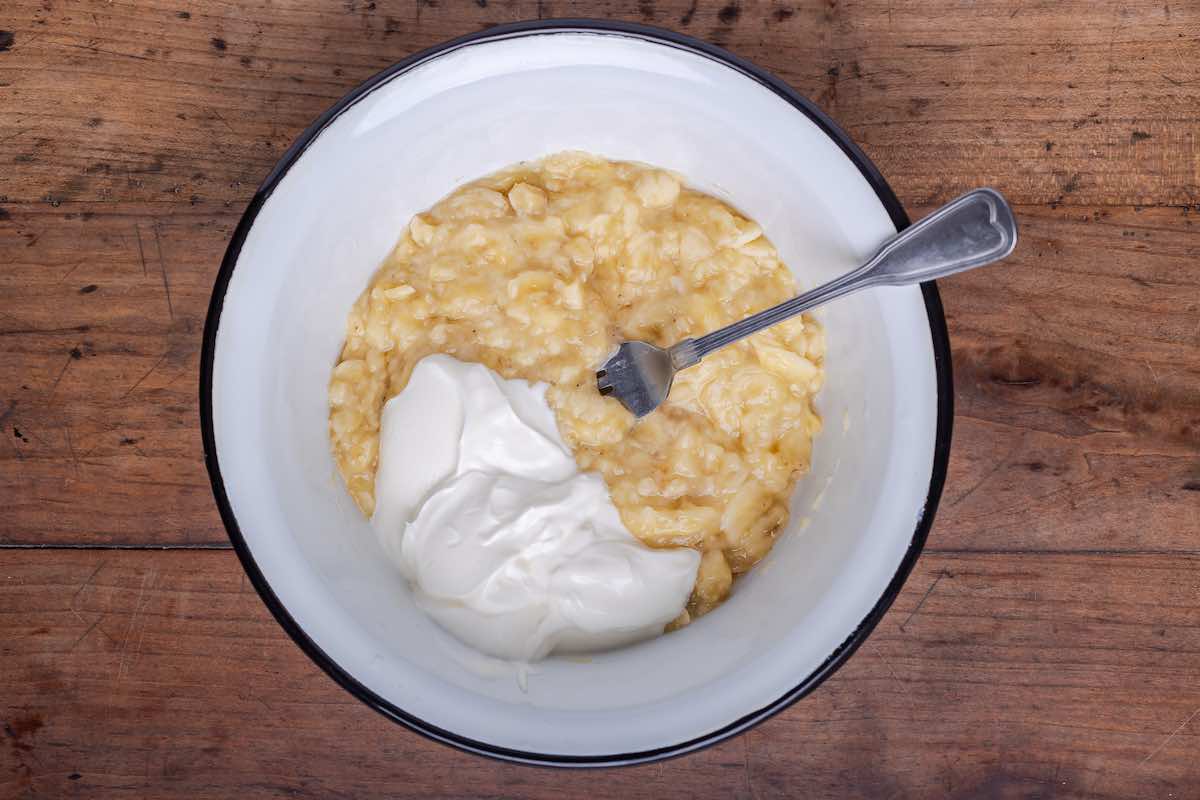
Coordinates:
(332, 210)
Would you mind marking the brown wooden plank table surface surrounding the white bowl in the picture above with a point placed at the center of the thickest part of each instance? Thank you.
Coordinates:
(1048, 643)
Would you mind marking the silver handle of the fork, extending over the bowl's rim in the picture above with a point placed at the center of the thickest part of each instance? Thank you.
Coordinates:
(973, 231)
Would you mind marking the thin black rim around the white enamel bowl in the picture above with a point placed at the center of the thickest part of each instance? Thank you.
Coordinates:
(937, 328)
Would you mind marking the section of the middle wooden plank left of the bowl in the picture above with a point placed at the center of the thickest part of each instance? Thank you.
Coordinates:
(100, 323)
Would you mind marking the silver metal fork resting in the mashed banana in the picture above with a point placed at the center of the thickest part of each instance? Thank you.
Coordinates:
(973, 231)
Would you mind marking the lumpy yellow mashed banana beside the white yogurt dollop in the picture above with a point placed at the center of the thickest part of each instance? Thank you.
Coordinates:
(538, 273)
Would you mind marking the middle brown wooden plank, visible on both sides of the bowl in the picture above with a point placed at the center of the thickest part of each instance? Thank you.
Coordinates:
(1076, 366)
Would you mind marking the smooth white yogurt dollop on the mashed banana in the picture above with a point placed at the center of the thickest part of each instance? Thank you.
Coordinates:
(506, 543)
